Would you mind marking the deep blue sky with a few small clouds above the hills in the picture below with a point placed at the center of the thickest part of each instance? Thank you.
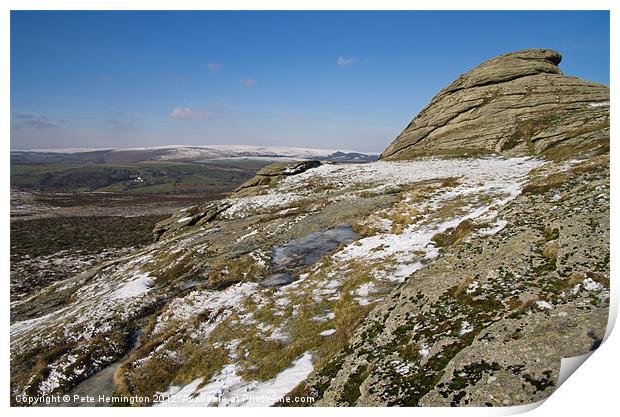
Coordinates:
(337, 80)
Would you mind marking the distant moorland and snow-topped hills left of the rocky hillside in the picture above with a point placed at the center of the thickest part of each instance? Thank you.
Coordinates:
(71, 209)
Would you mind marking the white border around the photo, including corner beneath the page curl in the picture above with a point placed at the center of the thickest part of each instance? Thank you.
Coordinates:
(590, 391)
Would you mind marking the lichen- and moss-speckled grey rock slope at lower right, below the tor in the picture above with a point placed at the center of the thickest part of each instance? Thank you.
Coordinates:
(488, 322)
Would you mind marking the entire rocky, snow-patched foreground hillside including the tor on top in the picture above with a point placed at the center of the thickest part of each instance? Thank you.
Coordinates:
(455, 271)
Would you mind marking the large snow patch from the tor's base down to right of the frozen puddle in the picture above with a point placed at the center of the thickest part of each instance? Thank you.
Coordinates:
(498, 179)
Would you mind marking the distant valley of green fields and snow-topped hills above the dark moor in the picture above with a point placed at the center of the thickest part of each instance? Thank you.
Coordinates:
(160, 170)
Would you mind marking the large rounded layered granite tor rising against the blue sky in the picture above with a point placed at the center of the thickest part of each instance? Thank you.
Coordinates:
(515, 104)
